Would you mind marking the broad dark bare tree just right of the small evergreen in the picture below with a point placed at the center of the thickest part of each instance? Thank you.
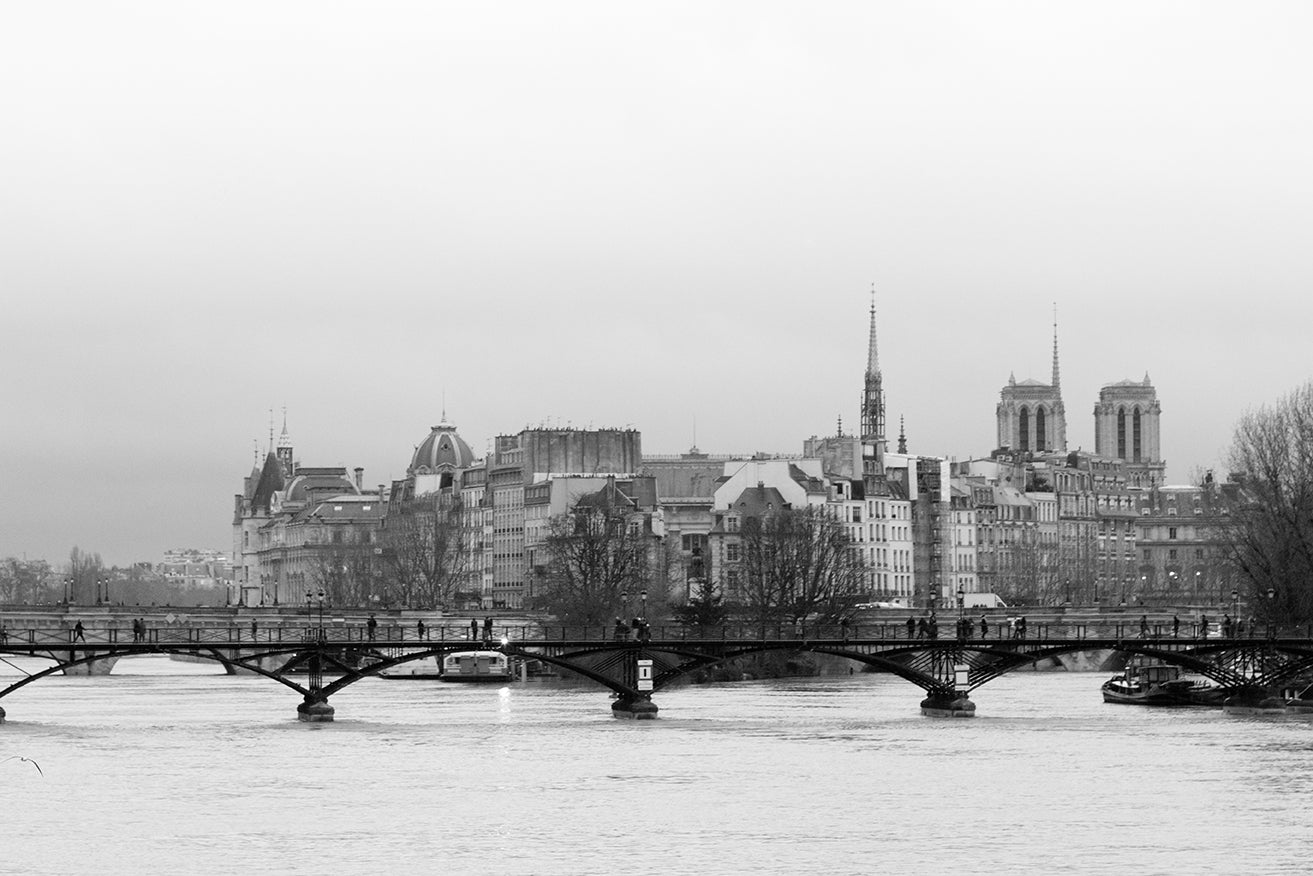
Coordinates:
(798, 565)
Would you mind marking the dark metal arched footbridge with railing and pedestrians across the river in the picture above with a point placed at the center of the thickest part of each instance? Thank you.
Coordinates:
(318, 663)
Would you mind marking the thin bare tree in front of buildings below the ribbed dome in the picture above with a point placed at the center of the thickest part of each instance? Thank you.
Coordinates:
(426, 555)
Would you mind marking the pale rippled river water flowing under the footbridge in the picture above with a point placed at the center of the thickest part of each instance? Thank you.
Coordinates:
(170, 768)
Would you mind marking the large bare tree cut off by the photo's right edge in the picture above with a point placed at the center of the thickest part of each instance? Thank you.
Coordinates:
(1269, 533)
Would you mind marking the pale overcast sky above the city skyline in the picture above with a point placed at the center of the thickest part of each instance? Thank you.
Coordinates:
(662, 216)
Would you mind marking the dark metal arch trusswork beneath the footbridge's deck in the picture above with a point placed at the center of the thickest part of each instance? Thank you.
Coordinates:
(932, 665)
